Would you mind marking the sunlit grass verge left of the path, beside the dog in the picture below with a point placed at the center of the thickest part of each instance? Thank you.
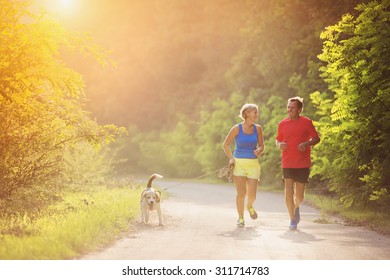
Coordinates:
(80, 223)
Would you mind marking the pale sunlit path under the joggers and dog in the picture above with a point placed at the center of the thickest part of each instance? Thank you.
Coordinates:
(200, 223)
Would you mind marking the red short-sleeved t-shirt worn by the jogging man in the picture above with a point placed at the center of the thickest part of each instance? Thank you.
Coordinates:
(294, 132)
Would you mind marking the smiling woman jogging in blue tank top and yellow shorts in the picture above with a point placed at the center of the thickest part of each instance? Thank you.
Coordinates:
(248, 137)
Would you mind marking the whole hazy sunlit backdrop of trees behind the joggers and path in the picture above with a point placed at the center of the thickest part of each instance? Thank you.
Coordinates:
(176, 76)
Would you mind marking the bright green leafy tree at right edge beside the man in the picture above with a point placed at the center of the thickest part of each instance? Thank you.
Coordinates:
(355, 116)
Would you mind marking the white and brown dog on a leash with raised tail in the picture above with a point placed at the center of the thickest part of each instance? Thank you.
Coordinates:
(150, 200)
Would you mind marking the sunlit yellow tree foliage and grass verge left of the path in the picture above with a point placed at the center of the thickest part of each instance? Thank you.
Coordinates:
(54, 159)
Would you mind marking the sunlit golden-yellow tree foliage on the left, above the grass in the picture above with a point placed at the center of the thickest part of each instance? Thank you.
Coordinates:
(41, 118)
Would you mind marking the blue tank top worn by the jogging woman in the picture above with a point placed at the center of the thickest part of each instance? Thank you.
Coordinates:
(245, 143)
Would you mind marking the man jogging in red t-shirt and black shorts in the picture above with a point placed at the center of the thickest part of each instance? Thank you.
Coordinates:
(296, 135)
